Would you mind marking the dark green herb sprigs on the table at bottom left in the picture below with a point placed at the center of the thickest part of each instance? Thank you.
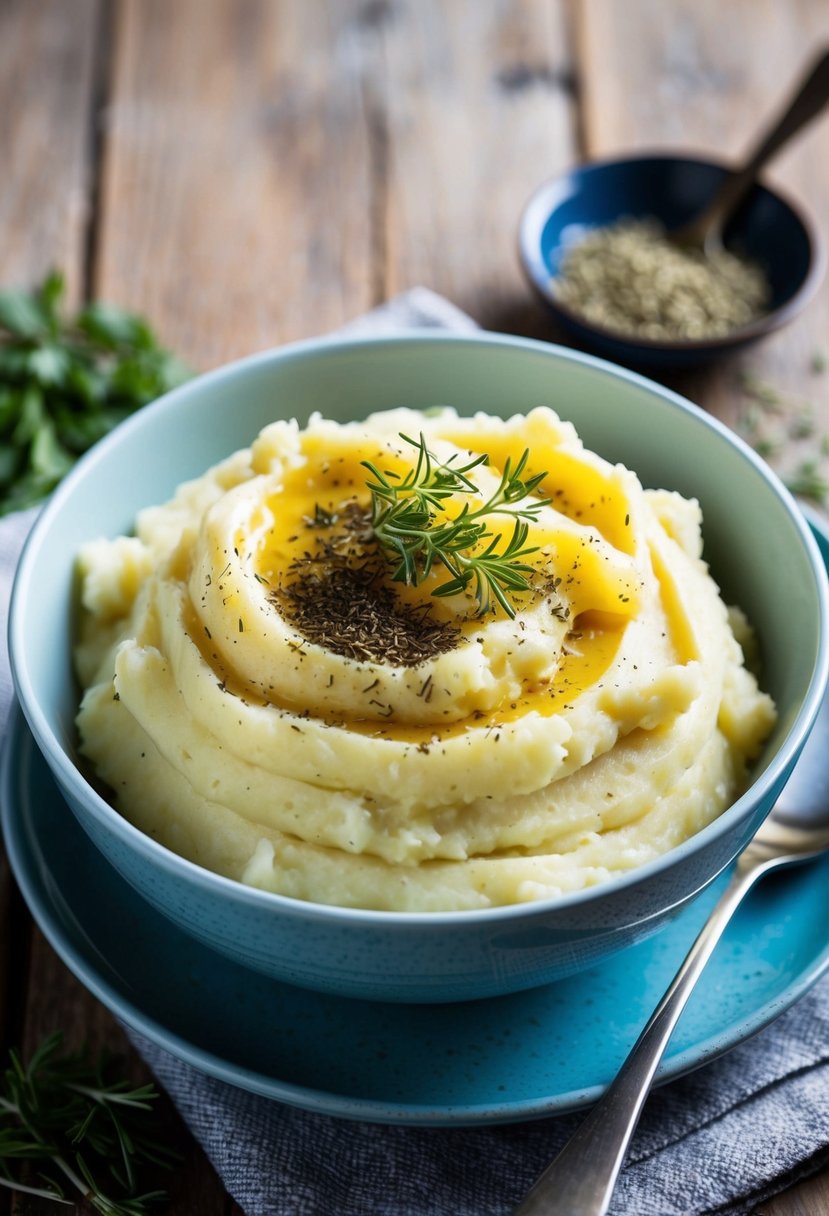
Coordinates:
(82, 1136)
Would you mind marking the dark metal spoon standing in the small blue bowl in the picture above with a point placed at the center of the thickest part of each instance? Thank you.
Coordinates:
(706, 229)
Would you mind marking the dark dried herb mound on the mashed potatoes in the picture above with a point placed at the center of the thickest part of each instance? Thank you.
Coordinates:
(339, 596)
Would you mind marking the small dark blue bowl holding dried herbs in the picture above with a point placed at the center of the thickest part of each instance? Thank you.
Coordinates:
(673, 189)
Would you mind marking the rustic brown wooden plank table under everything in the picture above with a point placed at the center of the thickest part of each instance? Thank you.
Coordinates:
(252, 172)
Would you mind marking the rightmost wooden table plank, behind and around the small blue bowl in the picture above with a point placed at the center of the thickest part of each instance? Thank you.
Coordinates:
(708, 78)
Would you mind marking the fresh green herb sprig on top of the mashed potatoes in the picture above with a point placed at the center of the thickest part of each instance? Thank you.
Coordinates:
(405, 522)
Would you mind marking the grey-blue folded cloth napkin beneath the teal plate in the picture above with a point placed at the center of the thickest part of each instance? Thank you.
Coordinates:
(719, 1141)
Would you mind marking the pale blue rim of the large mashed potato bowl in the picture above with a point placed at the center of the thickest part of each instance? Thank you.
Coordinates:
(177, 866)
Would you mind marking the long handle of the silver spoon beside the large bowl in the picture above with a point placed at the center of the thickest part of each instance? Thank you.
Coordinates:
(582, 1179)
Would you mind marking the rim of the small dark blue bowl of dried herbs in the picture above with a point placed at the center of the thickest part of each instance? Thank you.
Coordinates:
(539, 209)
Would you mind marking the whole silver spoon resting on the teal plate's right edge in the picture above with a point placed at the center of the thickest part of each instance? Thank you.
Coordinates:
(582, 1179)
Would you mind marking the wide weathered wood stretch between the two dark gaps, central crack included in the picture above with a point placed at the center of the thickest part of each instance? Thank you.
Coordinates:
(342, 154)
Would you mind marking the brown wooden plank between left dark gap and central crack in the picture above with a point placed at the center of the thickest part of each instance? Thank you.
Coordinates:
(238, 183)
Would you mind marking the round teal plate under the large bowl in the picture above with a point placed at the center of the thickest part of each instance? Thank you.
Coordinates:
(512, 1059)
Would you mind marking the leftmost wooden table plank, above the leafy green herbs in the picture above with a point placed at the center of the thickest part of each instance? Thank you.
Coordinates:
(49, 82)
